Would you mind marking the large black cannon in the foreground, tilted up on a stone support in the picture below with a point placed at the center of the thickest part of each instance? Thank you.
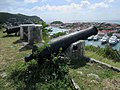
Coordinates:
(53, 46)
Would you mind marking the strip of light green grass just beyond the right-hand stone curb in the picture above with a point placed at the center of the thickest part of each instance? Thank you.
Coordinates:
(101, 58)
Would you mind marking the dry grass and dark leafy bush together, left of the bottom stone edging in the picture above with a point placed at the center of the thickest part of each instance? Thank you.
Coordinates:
(16, 74)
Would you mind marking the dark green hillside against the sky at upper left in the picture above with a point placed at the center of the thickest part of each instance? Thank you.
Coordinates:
(16, 19)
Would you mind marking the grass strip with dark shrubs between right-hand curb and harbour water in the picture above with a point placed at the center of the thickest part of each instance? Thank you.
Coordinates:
(106, 55)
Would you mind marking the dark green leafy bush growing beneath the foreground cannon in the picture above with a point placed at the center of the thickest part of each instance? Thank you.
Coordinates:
(50, 75)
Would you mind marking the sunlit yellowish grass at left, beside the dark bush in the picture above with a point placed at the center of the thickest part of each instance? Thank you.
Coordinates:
(10, 56)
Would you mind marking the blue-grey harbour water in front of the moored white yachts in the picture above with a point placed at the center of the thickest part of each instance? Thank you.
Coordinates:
(98, 43)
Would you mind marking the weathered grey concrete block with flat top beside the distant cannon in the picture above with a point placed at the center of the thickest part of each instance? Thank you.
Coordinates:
(32, 33)
